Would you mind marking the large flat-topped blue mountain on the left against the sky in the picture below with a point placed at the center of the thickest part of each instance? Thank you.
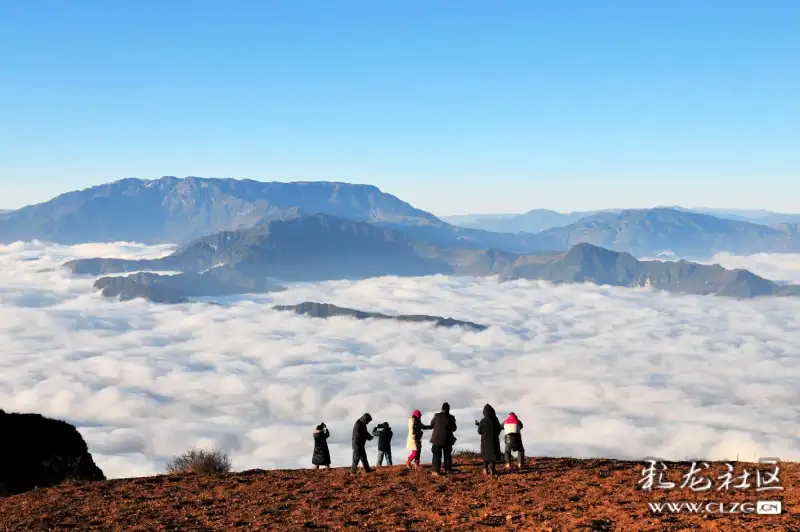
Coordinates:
(176, 210)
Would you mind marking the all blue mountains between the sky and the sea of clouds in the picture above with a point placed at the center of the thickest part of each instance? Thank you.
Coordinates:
(243, 236)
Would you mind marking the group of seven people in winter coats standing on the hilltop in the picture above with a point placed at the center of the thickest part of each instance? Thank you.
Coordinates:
(443, 427)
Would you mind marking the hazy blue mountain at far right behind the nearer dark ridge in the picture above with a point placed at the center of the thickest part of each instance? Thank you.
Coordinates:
(647, 232)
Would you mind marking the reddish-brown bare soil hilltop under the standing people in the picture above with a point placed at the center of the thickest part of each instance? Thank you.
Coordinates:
(552, 494)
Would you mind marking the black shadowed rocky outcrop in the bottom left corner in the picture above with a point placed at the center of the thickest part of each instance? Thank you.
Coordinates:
(36, 451)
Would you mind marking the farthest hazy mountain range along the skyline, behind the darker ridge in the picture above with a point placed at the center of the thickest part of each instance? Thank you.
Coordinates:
(180, 210)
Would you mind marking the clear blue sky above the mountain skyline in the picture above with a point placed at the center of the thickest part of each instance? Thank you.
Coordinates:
(455, 106)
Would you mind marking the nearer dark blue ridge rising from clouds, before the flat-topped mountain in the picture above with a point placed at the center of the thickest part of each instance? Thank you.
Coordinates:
(320, 247)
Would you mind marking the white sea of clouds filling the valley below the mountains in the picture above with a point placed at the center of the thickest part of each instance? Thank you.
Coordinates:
(591, 371)
